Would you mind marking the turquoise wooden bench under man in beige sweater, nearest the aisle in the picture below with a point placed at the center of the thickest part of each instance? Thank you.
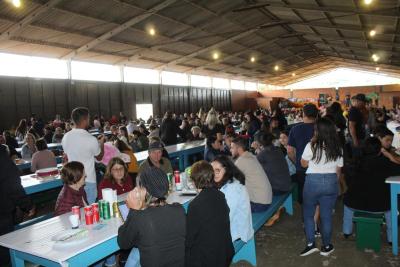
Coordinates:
(247, 251)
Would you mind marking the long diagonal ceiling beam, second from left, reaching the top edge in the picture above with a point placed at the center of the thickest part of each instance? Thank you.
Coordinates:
(119, 28)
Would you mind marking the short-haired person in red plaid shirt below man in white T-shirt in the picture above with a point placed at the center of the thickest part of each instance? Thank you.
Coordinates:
(72, 193)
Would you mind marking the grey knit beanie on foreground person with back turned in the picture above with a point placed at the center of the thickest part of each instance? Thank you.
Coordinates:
(155, 181)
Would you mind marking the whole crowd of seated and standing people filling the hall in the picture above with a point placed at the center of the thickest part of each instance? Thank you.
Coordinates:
(248, 158)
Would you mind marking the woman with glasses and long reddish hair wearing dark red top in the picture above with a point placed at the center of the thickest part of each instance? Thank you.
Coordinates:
(116, 178)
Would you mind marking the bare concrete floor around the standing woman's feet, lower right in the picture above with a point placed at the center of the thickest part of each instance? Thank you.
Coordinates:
(281, 244)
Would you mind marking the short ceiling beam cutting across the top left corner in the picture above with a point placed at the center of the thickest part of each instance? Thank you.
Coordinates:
(35, 14)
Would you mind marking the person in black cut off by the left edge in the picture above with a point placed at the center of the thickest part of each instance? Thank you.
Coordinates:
(12, 195)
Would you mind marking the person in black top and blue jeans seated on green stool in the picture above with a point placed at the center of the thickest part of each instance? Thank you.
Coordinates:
(367, 190)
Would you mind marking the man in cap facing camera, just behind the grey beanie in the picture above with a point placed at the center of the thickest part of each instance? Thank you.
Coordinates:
(156, 159)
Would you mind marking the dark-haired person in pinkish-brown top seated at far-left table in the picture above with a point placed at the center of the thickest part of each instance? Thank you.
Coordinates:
(43, 158)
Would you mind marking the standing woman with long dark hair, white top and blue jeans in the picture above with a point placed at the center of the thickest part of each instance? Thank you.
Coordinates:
(323, 158)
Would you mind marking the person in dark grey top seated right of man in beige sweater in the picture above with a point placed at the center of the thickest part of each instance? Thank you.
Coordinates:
(274, 164)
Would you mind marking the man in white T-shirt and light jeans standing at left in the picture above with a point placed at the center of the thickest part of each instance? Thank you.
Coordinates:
(79, 145)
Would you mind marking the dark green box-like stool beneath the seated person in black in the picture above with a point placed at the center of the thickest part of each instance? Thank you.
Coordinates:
(368, 230)
